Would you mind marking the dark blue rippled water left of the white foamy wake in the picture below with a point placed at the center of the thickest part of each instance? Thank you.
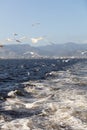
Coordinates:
(15, 72)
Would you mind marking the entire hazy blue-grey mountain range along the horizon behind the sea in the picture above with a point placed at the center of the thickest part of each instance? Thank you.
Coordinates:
(54, 50)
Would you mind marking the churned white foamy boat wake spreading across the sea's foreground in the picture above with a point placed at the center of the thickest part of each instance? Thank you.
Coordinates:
(59, 103)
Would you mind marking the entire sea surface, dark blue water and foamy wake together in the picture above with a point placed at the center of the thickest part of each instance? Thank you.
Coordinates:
(43, 94)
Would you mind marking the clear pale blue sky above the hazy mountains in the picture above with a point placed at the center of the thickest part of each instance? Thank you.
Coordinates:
(60, 20)
